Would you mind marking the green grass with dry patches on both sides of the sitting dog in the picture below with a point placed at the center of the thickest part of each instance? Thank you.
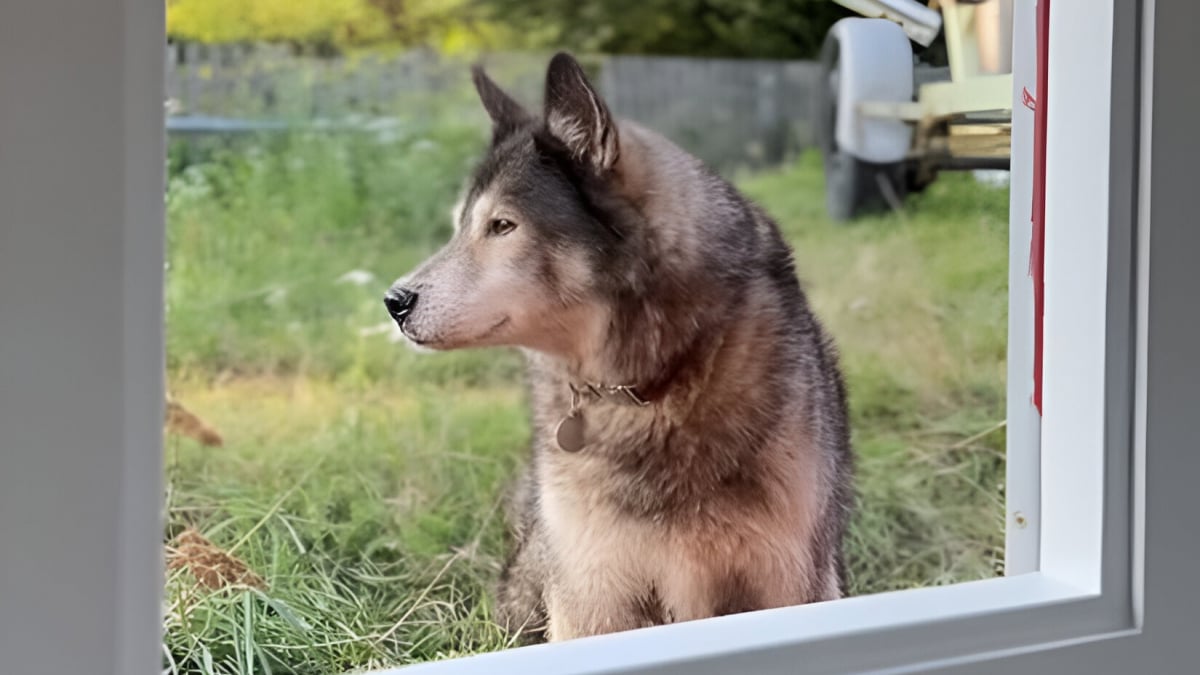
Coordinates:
(363, 481)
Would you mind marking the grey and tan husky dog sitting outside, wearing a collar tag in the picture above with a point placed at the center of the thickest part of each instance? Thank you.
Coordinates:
(692, 453)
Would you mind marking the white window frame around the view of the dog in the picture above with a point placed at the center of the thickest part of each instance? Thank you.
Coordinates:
(81, 381)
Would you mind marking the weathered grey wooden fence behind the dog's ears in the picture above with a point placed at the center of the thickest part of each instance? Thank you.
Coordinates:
(729, 112)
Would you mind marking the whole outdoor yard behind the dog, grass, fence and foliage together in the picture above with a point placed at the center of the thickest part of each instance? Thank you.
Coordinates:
(335, 499)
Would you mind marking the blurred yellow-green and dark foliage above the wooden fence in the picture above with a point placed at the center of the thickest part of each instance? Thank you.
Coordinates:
(779, 29)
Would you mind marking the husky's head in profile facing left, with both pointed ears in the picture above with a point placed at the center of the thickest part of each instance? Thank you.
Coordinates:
(536, 235)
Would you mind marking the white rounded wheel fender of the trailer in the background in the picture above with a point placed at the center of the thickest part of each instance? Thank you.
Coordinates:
(874, 64)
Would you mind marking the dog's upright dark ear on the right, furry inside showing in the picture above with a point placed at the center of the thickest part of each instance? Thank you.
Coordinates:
(577, 116)
